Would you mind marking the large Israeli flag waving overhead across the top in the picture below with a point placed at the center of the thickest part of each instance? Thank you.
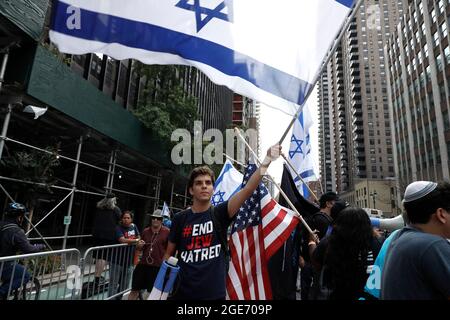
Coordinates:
(263, 49)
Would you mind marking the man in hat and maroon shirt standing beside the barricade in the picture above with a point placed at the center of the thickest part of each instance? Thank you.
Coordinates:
(153, 246)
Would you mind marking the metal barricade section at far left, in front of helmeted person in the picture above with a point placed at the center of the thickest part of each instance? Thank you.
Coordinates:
(52, 275)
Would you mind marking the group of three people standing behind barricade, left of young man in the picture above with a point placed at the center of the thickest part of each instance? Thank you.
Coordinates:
(139, 263)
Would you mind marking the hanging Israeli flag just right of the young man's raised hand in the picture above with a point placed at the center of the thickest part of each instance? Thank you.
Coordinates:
(300, 151)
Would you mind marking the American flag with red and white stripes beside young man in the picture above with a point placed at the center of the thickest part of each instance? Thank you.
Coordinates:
(260, 228)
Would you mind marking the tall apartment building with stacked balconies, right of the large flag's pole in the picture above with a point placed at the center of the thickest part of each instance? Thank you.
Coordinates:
(360, 143)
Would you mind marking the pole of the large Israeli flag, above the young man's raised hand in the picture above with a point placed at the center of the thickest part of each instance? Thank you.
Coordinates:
(324, 63)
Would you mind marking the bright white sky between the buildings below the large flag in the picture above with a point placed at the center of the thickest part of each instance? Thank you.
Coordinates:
(273, 124)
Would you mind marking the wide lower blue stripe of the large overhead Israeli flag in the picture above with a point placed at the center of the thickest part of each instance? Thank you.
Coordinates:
(134, 34)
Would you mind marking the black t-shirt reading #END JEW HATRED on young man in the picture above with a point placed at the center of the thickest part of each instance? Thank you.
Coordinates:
(201, 259)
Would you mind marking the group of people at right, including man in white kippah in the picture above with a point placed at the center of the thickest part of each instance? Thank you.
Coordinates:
(352, 260)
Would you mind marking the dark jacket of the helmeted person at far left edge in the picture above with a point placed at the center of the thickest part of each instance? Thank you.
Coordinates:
(13, 239)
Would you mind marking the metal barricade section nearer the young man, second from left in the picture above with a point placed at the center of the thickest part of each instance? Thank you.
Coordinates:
(107, 271)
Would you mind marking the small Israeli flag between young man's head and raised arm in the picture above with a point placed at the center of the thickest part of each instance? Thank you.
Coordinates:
(228, 183)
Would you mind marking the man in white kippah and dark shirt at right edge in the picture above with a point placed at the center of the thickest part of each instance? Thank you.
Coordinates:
(417, 264)
